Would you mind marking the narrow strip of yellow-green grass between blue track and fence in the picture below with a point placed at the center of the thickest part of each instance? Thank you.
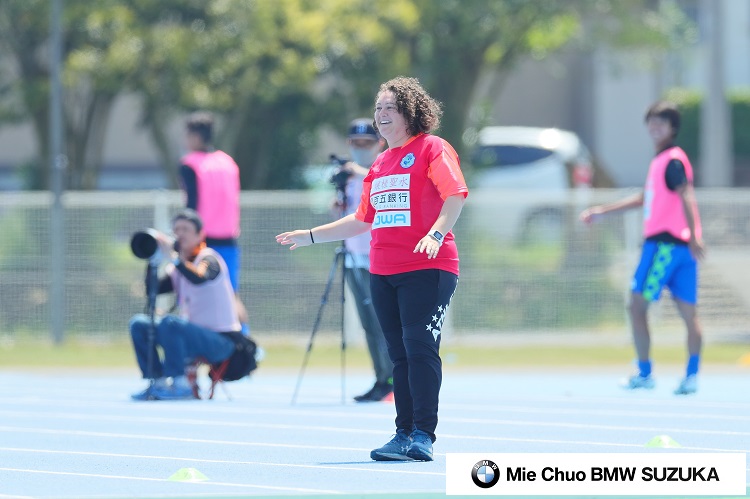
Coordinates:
(327, 354)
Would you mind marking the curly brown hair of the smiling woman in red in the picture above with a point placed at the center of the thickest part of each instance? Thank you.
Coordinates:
(421, 112)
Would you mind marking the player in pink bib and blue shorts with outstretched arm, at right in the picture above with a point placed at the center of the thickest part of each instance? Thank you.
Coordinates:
(672, 245)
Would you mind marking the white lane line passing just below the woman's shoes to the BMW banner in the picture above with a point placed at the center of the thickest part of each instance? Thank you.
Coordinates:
(222, 461)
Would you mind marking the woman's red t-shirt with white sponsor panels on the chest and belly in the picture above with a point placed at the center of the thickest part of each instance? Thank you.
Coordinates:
(402, 197)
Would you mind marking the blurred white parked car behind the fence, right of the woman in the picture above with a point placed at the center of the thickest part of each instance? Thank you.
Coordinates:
(522, 178)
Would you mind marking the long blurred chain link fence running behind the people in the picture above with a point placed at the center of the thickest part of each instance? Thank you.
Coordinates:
(528, 266)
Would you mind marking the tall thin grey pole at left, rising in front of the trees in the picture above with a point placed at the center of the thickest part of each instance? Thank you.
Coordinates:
(58, 162)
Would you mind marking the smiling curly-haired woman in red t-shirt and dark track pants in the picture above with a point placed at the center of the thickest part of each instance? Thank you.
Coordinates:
(411, 198)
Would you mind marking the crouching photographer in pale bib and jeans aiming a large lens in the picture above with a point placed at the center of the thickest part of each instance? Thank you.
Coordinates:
(207, 326)
